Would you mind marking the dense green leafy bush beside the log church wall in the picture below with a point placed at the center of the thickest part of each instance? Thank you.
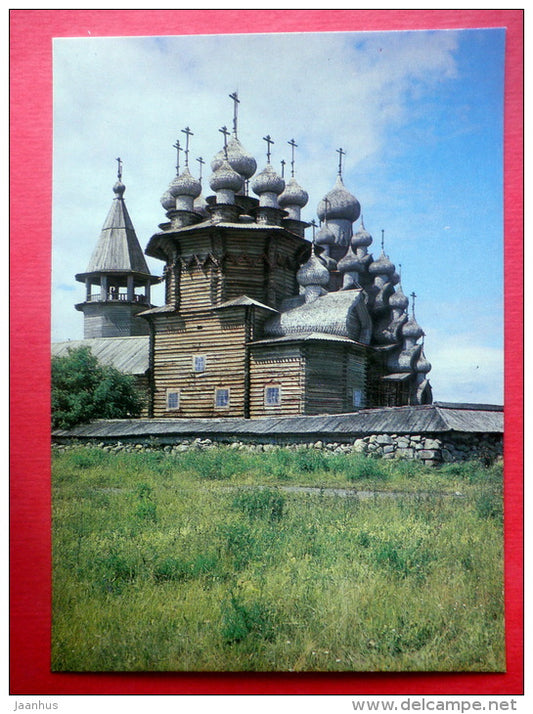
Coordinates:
(83, 389)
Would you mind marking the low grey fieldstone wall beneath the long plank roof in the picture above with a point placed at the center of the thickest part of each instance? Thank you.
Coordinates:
(432, 450)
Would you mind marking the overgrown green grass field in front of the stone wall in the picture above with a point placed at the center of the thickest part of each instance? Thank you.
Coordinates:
(213, 561)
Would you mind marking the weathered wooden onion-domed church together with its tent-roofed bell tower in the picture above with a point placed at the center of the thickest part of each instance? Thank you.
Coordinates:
(258, 320)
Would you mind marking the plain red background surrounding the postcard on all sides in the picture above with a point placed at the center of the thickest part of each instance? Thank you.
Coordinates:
(31, 32)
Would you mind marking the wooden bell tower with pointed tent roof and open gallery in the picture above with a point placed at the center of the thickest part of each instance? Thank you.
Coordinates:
(119, 272)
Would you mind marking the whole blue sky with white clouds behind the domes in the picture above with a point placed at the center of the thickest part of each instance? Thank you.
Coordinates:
(420, 115)
